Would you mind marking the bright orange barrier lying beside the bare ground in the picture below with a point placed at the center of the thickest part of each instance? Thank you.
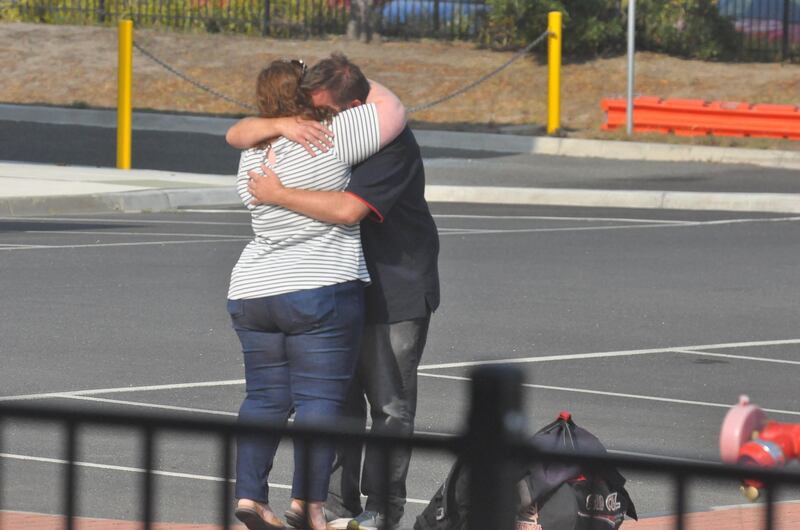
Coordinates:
(696, 117)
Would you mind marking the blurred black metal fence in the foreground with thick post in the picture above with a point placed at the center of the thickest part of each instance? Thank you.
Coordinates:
(492, 446)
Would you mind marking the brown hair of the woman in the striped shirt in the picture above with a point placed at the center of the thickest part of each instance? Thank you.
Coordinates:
(279, 94)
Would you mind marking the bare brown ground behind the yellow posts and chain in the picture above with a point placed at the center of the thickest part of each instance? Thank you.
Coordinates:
(76, 65)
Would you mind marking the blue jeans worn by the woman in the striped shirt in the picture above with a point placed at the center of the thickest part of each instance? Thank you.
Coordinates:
(300, 352)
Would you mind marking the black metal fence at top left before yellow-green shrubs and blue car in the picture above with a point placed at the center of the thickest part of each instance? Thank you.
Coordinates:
(277, 18)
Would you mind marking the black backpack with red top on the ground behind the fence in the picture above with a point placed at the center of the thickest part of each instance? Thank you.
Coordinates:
(550, 496)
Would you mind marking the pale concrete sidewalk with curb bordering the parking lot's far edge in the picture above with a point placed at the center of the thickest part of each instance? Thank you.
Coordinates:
(32, 189)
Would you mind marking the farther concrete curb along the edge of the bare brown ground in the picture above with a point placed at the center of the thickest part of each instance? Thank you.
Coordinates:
(502, 143)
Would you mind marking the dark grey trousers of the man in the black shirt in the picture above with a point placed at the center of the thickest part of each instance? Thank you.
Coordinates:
(387, 378)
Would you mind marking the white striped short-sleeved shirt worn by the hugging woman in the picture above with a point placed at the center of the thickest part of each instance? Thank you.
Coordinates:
(291, 251)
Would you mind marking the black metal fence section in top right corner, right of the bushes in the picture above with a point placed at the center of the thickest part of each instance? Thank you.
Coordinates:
(770, 29)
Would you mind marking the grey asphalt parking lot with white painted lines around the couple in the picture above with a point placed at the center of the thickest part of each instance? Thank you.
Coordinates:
(646, 325)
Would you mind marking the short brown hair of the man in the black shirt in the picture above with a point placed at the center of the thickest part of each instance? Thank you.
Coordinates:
(343, 80)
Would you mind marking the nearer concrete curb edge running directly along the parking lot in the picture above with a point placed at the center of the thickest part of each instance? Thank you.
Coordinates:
(173, 199)
